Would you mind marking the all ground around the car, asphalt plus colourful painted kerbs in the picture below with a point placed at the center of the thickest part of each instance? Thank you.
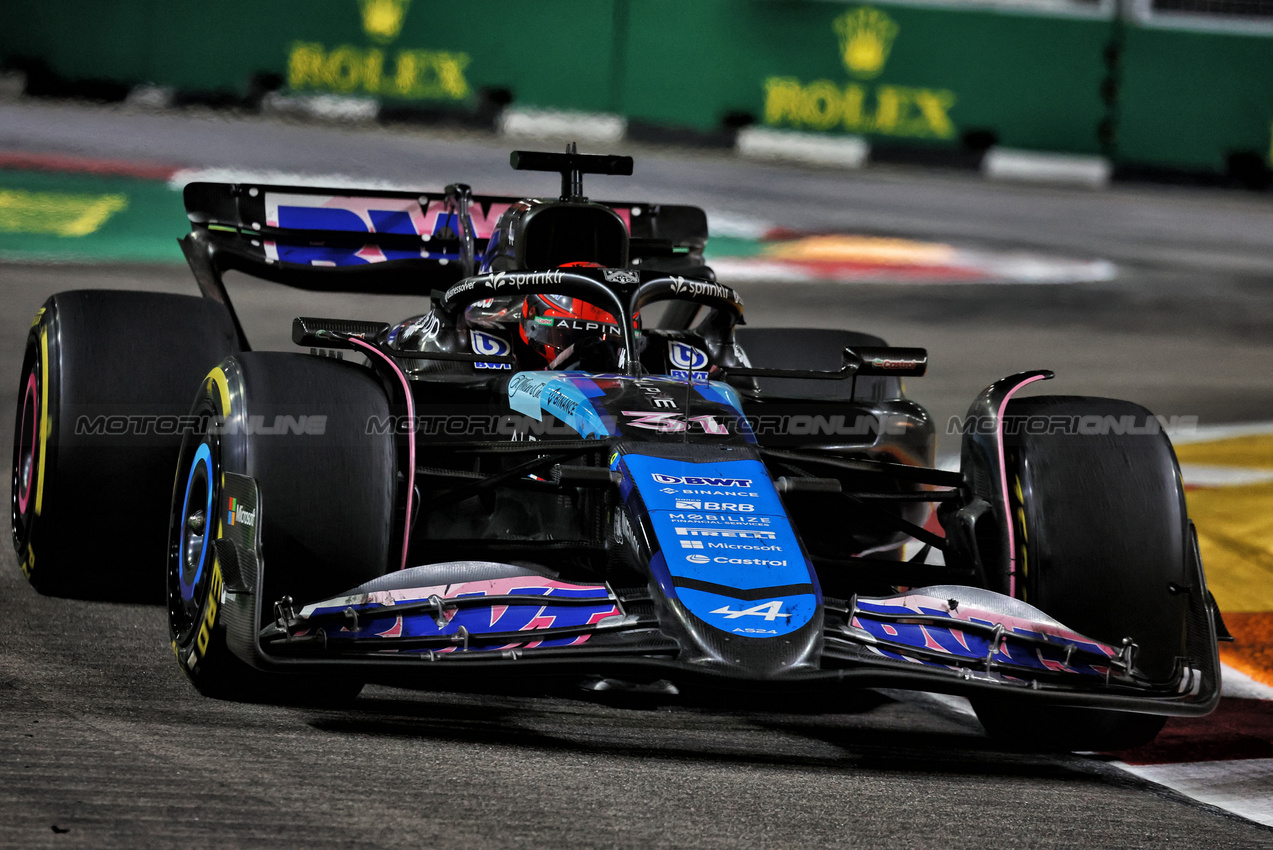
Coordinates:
(1158, 295)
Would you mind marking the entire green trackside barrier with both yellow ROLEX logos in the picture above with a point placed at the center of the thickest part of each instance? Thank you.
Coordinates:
(898, 73)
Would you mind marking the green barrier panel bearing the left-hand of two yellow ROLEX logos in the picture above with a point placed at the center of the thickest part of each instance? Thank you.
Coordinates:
(552, 53)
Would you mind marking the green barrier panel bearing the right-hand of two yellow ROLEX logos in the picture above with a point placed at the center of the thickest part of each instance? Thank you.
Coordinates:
(903, 73)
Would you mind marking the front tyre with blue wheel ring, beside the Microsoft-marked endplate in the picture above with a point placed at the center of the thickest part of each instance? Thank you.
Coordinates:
(299, 427)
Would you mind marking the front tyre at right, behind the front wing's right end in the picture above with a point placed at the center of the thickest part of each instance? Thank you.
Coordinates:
(1102, 544)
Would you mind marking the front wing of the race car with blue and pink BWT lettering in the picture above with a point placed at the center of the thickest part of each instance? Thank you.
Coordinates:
(439, 623)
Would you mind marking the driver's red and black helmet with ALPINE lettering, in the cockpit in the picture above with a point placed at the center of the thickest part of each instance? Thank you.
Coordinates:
(562, 330)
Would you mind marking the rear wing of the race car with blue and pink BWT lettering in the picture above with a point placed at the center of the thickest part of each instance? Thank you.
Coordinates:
(380, 242)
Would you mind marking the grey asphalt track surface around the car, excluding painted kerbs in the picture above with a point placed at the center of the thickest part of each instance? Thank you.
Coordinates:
(102, 744)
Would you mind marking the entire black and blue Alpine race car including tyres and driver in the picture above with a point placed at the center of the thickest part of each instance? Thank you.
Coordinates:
(582, 465)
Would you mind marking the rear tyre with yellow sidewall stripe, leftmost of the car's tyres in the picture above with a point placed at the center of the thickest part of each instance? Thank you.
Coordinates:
(101, 403)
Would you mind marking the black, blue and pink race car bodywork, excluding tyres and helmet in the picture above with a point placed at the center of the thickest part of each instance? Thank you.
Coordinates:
(551, 485)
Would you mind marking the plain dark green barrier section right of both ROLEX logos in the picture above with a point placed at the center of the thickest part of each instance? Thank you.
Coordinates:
(1193, 100)
